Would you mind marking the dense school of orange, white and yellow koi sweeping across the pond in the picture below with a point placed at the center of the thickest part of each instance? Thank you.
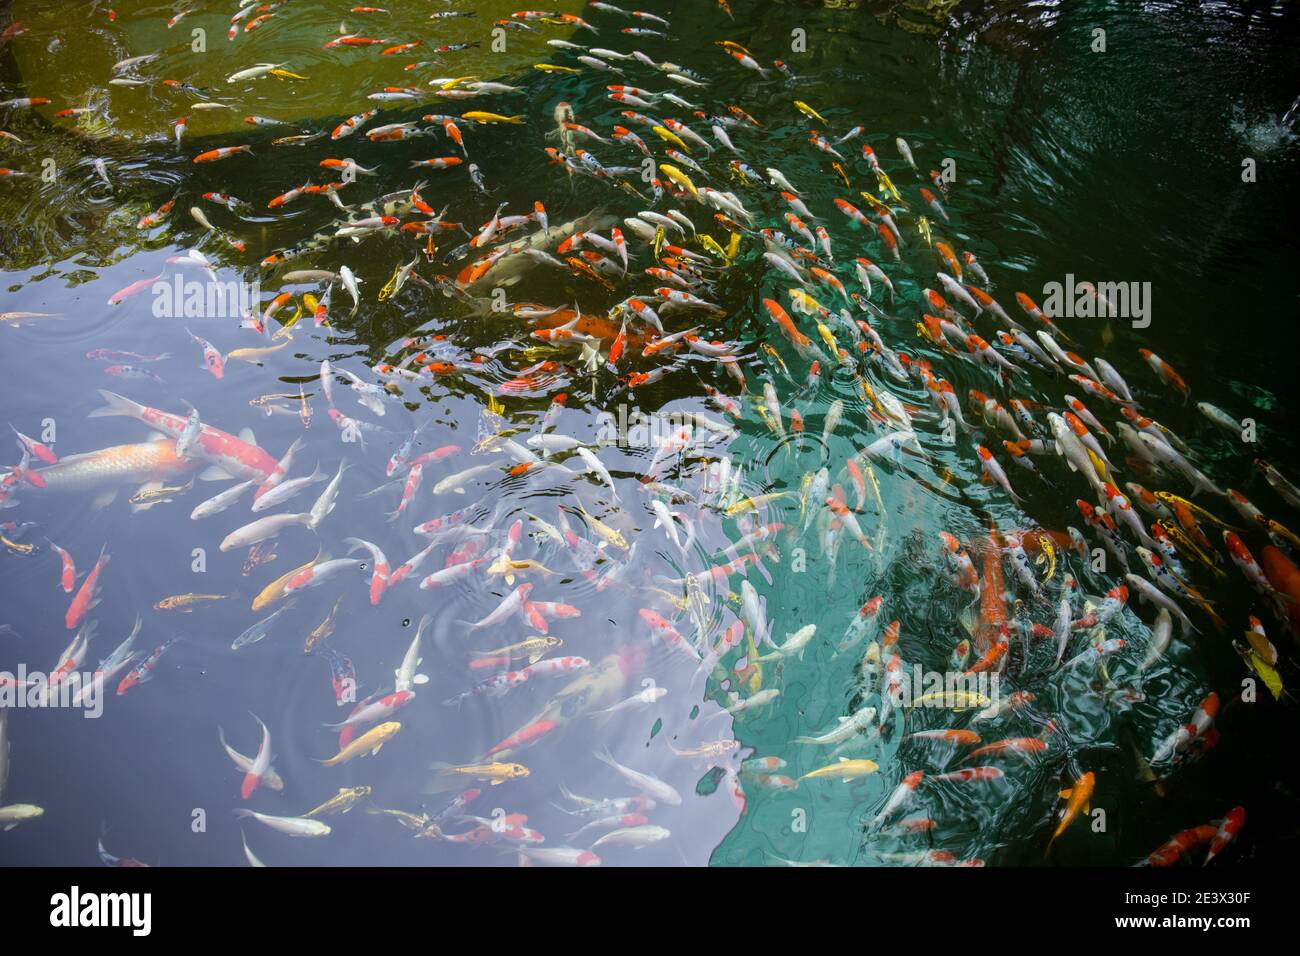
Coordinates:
(682, 524)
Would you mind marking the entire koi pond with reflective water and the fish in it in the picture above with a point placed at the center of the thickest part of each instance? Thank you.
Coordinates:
(694, 496)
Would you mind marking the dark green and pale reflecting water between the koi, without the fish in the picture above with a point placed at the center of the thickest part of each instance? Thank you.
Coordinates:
(1117, 166)
